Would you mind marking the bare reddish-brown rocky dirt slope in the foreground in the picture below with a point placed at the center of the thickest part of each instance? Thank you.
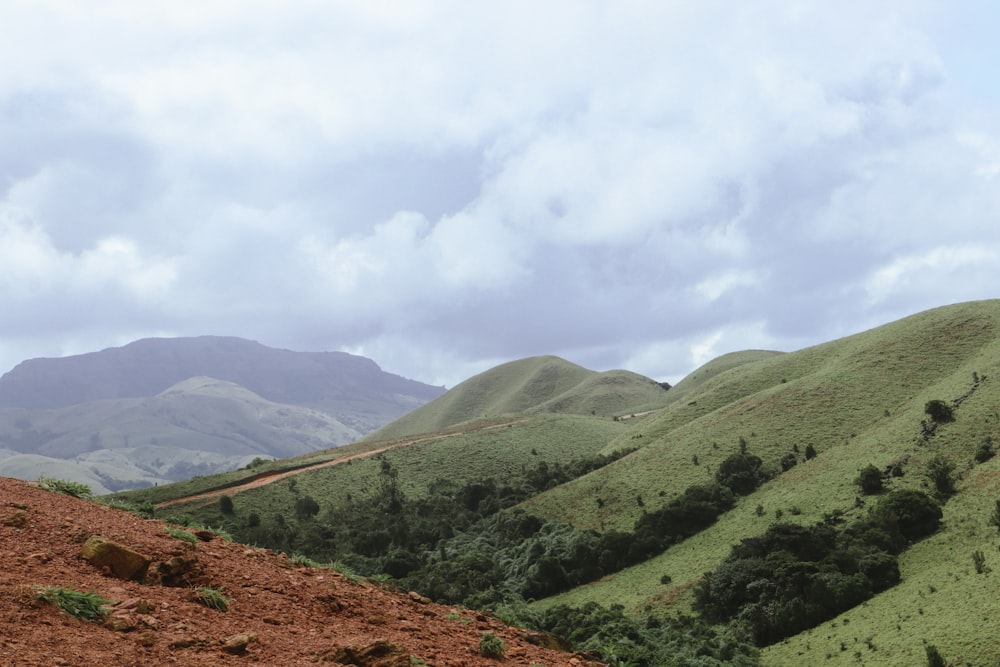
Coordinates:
(279, 614)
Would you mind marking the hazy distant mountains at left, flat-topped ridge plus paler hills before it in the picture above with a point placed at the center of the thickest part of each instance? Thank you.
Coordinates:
(165, 409)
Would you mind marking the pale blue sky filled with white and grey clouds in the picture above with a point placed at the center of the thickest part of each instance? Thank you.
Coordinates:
(446, 186)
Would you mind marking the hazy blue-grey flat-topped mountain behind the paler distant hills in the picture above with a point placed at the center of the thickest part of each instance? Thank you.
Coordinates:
(351, 388)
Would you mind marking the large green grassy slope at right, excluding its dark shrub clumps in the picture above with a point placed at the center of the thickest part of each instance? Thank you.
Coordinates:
(856, 401)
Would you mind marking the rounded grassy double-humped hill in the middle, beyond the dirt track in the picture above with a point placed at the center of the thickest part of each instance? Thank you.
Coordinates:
(535, 384)
